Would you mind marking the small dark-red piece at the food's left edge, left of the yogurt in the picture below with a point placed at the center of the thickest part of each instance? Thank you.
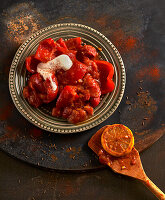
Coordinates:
(31, 64)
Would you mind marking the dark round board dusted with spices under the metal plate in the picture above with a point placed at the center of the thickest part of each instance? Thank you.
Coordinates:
(137, 34)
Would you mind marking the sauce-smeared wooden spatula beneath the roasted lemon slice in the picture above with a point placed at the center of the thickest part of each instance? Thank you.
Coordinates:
(129, 165)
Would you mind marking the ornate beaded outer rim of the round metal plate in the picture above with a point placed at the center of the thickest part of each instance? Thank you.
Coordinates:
(65, 127)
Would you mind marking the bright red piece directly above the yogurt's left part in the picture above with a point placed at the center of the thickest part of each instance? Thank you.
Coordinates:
(46, 50)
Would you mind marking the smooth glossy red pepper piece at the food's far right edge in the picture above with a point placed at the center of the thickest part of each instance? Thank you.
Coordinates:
(106, 70)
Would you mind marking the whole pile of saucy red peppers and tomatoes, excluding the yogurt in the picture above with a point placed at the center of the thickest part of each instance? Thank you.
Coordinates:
(79, 88)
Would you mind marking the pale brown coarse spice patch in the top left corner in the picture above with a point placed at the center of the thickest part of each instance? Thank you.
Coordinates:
(21, 21)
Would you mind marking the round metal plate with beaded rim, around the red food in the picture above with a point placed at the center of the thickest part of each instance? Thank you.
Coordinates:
(41, 117)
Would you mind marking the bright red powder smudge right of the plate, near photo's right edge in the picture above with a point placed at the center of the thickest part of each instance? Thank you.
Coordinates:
(151, 72)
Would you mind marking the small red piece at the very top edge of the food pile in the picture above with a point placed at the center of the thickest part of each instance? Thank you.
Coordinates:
(73, 43)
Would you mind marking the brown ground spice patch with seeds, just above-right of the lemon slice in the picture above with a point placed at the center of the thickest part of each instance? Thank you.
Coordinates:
(141, 109)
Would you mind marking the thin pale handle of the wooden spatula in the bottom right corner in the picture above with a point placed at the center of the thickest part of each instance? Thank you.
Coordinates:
(154, 189)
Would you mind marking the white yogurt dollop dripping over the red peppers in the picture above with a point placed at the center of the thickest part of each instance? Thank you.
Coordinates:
(46, 70)
